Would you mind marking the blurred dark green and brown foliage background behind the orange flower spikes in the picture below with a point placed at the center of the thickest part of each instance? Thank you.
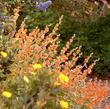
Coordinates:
(89, 20)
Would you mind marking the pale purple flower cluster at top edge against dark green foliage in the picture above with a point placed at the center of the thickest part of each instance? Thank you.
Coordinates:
(42, 6)
